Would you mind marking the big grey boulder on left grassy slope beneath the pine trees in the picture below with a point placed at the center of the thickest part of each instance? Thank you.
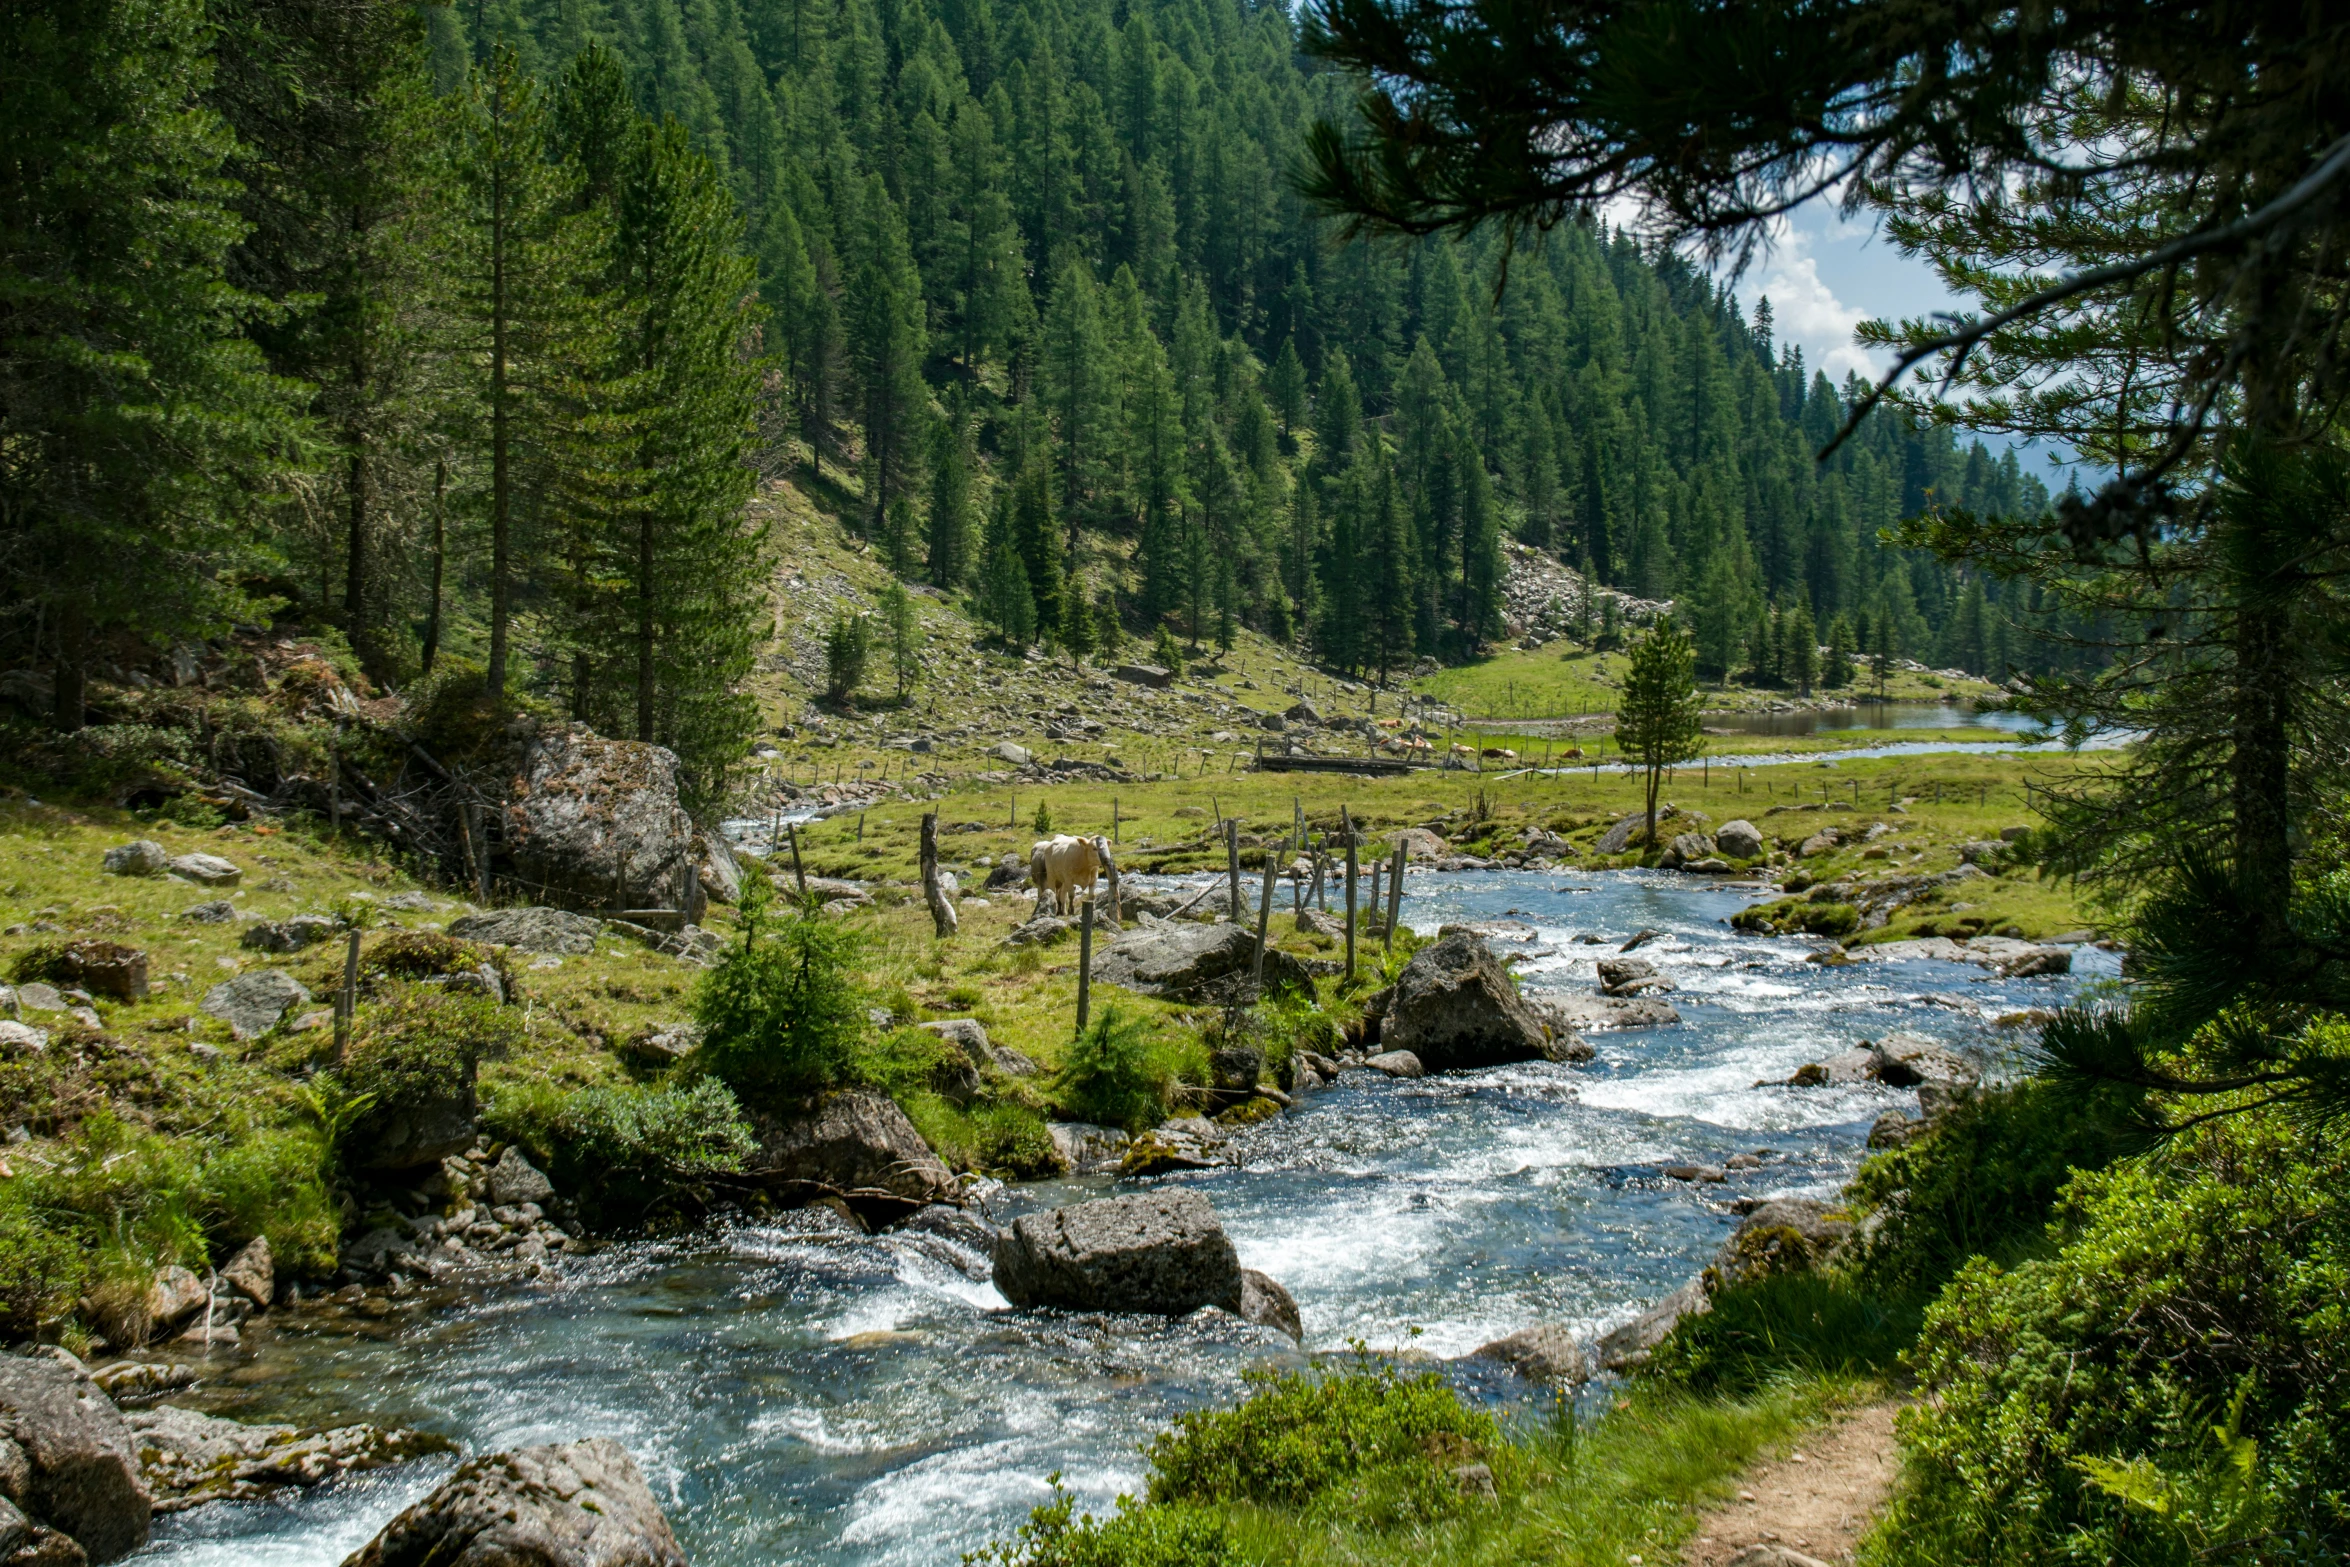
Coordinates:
(596, 823)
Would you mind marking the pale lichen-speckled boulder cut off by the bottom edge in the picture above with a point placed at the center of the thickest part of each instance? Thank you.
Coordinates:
(582, 1505)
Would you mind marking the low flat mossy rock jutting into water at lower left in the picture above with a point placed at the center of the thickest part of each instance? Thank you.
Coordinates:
(189, 1460)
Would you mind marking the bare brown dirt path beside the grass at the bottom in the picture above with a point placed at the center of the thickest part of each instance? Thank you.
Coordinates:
(1818, 1500)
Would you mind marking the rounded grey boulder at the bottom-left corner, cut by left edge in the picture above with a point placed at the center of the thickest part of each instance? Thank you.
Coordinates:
(69, 1460)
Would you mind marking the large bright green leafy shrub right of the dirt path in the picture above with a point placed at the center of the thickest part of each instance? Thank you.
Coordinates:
(2168, 1387)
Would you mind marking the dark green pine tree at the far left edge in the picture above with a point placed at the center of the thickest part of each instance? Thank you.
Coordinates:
(135, 419)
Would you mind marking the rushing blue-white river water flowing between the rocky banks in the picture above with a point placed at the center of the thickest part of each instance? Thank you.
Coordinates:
(800, 1394)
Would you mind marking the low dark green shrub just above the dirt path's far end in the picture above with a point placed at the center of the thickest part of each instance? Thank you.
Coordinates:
(1808, 1324)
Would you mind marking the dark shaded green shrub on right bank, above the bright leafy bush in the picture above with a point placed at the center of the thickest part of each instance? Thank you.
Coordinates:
(1982, 1183)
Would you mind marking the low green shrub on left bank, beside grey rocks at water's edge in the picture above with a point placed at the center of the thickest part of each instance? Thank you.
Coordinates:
(622, 1150)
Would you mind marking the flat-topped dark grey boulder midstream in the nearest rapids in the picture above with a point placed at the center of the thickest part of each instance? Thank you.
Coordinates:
(1162, 1251)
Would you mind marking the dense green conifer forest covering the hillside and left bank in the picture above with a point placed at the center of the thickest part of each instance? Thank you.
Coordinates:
(469, 330)
